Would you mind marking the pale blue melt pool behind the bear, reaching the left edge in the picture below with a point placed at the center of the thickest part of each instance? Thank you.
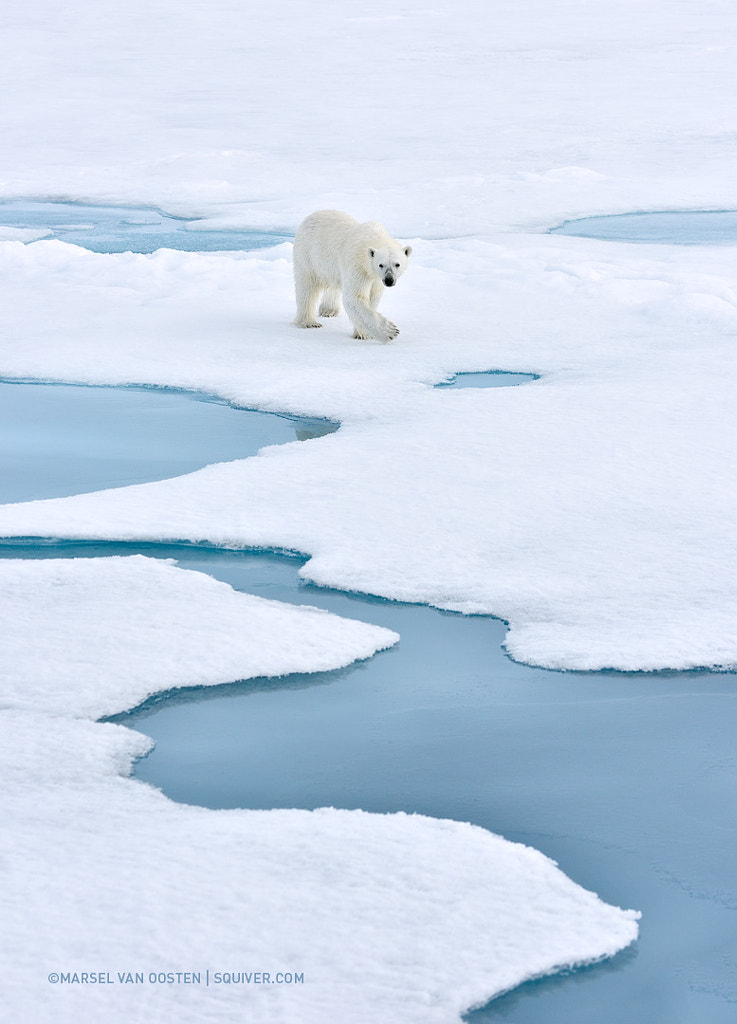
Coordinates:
(119, 229)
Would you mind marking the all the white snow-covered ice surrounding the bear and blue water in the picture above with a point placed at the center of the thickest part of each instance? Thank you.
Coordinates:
(591, 509)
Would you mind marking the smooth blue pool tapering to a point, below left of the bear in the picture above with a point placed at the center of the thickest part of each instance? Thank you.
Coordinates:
(60, 440)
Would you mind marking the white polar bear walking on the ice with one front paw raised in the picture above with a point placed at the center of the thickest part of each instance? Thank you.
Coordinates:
(339, 258)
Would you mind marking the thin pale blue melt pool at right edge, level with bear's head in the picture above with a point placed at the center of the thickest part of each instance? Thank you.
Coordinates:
(686, 228)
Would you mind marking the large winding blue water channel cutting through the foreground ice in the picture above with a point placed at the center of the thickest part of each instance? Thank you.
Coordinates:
(626, 780)
